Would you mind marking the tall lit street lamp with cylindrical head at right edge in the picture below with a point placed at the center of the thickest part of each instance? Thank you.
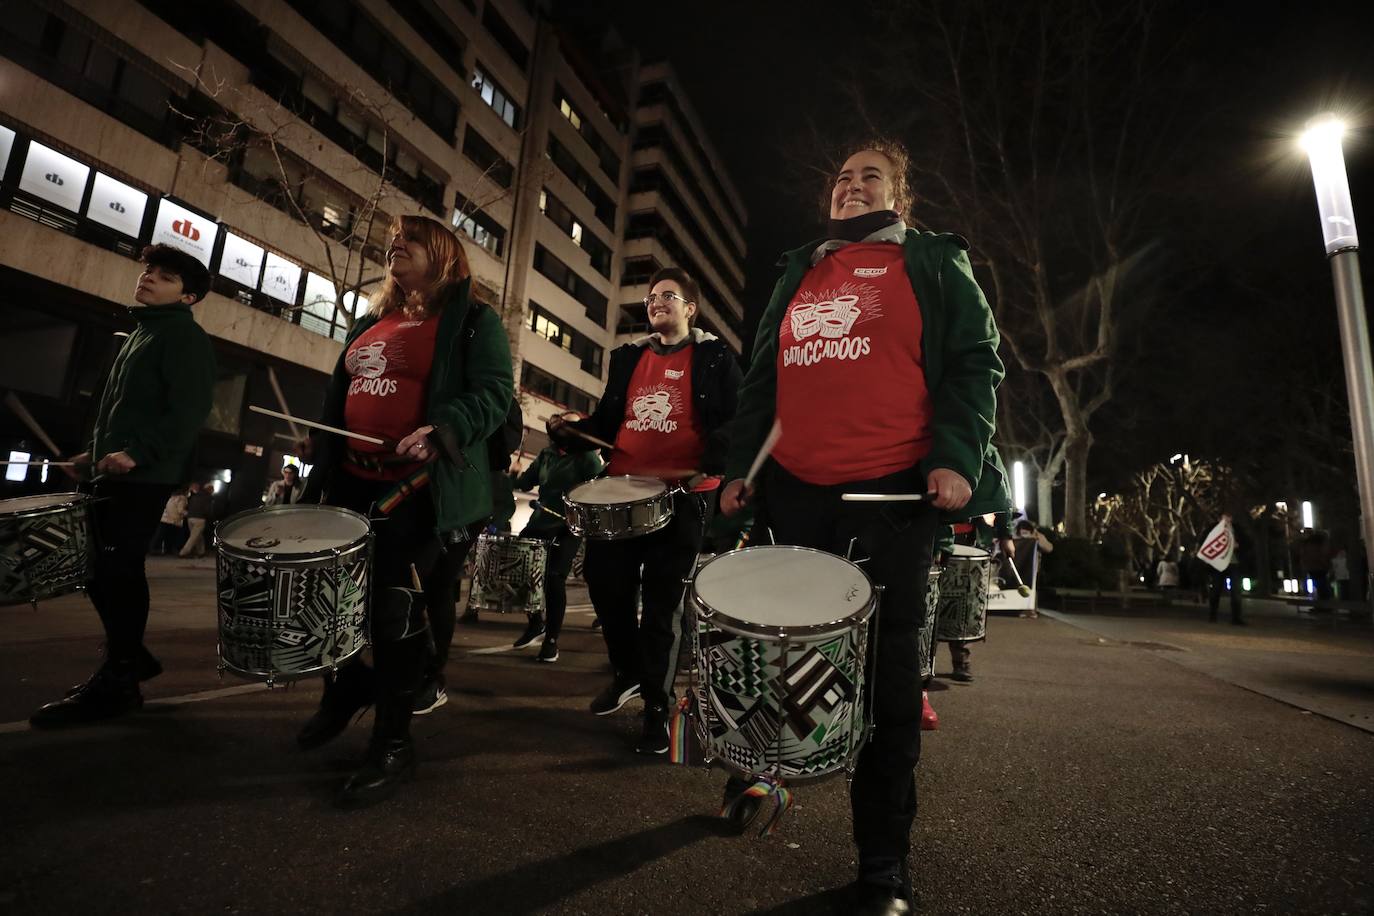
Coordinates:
(1322, 144)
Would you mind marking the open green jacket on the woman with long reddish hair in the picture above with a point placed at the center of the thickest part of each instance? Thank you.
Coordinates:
(469, 398)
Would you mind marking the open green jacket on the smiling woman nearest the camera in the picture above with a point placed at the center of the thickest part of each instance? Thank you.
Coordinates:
(960, 351)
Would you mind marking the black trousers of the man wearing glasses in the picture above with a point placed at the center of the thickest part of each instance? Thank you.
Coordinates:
(651, 569)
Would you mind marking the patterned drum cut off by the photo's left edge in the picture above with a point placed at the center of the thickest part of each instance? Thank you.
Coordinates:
(45, 547)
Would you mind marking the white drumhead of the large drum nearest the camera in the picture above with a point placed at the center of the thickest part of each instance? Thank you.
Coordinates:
(784, 587)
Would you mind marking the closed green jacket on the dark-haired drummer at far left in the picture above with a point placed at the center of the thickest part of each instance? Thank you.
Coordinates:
(157, 396)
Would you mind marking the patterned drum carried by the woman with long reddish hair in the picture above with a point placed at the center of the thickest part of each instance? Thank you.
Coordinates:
(293, 590)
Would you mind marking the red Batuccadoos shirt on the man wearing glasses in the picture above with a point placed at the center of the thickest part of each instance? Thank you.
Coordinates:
(660, 431)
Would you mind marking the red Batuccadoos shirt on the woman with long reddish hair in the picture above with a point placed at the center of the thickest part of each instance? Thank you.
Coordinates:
(390, 367)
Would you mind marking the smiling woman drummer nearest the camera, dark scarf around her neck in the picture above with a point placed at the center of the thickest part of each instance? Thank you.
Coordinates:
(879, 356)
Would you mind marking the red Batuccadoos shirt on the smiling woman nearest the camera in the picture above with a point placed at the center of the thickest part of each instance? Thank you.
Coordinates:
(853, 395)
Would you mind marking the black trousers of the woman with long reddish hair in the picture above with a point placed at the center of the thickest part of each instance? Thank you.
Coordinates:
(398, 621)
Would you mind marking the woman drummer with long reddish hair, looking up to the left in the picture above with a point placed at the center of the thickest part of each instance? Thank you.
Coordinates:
(429, 373)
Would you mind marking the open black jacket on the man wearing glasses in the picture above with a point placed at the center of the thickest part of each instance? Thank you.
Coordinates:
(715, 385)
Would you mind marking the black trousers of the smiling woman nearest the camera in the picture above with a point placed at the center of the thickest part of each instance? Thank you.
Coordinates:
(897, 545)
